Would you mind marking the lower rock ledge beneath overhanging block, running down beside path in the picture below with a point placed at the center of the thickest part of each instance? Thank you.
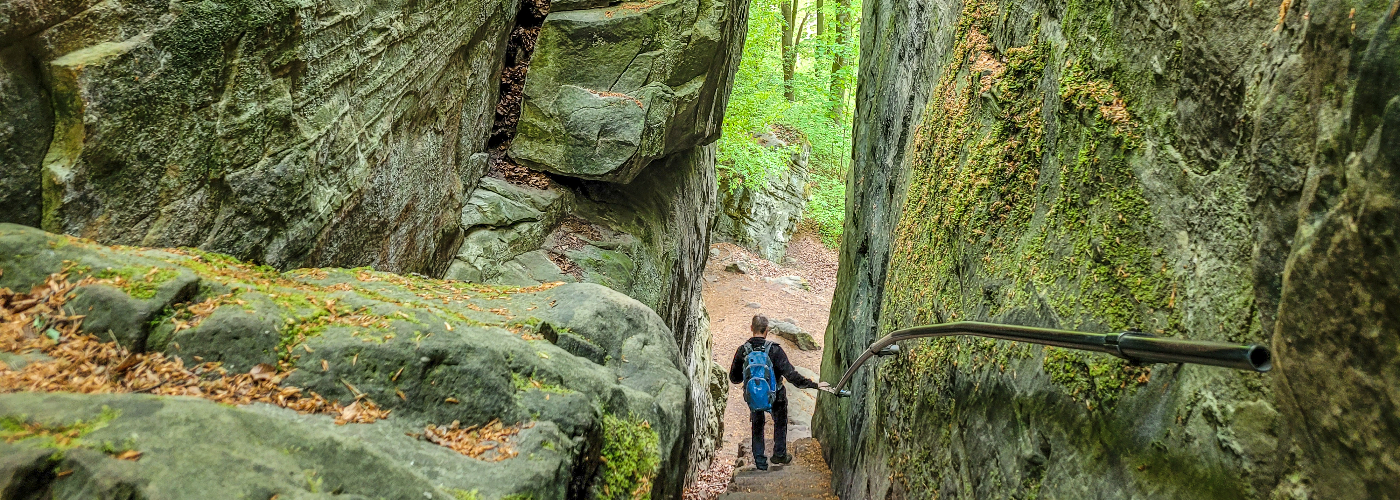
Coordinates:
(647, 239)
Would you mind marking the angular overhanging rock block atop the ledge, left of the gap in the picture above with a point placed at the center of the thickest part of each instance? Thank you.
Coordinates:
(614, 89)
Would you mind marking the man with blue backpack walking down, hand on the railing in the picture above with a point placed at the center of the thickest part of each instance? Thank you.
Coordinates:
(758, 366)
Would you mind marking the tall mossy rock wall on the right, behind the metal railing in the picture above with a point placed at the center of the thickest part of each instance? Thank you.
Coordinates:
(1203, 172)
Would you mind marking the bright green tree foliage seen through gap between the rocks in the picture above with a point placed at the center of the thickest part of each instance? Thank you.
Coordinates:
(758, 106)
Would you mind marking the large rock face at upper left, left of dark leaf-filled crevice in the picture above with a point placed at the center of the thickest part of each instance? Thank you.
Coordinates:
(293, 134)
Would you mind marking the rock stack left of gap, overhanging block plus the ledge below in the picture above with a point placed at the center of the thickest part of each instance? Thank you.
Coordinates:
(622, 107)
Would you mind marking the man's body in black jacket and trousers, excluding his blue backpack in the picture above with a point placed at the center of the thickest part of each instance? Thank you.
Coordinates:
(783, 369)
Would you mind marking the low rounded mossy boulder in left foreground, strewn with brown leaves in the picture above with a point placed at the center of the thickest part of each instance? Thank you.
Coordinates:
(582, 368)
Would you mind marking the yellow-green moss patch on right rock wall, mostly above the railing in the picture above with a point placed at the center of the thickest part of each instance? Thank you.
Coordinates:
(985, 232)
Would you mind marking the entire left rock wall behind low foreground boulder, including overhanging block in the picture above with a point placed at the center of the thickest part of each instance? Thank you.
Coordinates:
(407, 137)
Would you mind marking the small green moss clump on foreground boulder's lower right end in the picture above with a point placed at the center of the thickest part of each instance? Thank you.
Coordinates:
(631, 457)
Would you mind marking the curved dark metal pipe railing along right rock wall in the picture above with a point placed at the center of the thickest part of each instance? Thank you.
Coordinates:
(1133, 347)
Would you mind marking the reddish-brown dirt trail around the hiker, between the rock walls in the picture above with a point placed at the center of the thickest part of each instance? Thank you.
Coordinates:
(730, 299)
